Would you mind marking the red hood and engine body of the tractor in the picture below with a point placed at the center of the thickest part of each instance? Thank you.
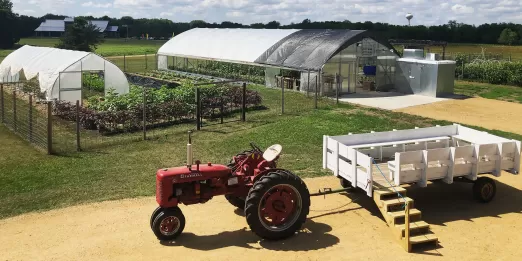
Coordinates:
(191, 184)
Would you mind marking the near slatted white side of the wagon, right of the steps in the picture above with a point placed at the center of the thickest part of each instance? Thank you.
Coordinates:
(448, 163)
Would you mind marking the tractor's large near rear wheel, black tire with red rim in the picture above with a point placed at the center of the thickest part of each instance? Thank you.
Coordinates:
(277, 205)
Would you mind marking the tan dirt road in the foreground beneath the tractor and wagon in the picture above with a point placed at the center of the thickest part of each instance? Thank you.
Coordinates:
(119, 230)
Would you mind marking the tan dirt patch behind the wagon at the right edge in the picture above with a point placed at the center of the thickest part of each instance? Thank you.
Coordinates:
(487, 113)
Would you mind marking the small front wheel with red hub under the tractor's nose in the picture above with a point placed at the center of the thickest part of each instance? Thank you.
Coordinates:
(168, 224)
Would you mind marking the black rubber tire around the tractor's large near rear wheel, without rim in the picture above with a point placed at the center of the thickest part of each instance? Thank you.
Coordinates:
(254, 197)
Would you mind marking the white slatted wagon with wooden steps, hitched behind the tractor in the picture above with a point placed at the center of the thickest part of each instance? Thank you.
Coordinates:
(379, 163)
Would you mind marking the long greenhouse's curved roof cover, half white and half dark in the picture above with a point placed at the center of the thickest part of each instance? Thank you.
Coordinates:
(307, 49)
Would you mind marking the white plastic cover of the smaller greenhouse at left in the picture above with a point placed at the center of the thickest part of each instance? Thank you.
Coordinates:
(47, 63)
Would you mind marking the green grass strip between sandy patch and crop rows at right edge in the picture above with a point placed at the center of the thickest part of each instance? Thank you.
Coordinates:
(489, 91)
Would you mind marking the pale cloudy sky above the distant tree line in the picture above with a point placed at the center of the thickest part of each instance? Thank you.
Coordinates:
(425, 12)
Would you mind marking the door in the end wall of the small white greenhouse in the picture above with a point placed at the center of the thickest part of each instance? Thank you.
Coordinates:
(70, 87)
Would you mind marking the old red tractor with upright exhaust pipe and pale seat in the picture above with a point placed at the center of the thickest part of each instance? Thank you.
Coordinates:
(275, 201)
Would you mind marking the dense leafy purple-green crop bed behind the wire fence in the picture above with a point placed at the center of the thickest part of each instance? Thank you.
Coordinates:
(164, 106)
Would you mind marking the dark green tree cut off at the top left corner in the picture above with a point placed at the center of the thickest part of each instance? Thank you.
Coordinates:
(9, 21)
